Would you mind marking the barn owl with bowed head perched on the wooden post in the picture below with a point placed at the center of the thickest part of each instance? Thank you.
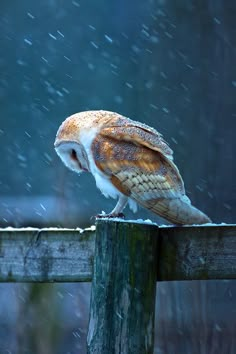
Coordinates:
(130, 161)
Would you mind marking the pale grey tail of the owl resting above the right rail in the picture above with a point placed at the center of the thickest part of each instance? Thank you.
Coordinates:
(178, 211)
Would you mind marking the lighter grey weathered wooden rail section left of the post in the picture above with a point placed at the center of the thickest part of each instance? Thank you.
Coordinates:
(46, 255)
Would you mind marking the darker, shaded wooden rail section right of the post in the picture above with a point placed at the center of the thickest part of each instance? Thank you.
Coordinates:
(197, 252)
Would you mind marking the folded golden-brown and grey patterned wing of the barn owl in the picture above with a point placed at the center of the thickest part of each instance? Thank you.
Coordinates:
(141, 169)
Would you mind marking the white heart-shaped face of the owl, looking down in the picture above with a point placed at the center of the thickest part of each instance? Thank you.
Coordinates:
(73, 155)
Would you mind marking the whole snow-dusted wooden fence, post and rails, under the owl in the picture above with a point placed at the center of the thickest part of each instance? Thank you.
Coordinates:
(124, 260)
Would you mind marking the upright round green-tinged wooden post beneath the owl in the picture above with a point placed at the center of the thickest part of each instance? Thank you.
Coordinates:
(122, 307)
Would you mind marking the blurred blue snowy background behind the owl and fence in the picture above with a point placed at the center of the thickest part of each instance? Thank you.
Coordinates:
(169, 64)
